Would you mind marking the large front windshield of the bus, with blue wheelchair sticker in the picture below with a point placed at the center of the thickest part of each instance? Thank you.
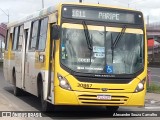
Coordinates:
(124, 57)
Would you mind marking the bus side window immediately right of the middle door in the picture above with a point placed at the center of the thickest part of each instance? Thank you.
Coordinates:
(34, 35)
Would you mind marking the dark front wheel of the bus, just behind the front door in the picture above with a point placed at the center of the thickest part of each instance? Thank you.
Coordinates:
(45, 106)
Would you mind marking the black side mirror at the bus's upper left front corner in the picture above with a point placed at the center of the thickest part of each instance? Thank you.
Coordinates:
(55, 31)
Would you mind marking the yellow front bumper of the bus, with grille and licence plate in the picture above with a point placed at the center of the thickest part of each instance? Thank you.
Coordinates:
(65, 97)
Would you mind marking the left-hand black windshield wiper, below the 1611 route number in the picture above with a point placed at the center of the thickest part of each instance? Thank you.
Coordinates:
(87, 35)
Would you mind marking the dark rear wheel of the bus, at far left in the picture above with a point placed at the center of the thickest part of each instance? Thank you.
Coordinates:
(17, 91)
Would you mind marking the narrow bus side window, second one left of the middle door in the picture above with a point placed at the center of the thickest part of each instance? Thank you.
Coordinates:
(15, 38)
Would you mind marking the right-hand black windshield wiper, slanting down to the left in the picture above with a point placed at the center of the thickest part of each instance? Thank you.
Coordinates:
(119, 36)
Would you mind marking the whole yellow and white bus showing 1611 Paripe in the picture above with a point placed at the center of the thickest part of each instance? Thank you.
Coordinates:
(79, 54)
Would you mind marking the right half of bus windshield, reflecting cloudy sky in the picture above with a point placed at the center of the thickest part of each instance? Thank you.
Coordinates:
(127, 57)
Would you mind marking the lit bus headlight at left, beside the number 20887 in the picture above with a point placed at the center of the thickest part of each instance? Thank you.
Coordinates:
(63, 83)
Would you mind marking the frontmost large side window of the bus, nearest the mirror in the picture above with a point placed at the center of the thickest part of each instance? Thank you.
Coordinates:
(43, 34)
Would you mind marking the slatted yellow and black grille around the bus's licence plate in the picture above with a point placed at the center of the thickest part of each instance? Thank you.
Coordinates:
(92, 99)
